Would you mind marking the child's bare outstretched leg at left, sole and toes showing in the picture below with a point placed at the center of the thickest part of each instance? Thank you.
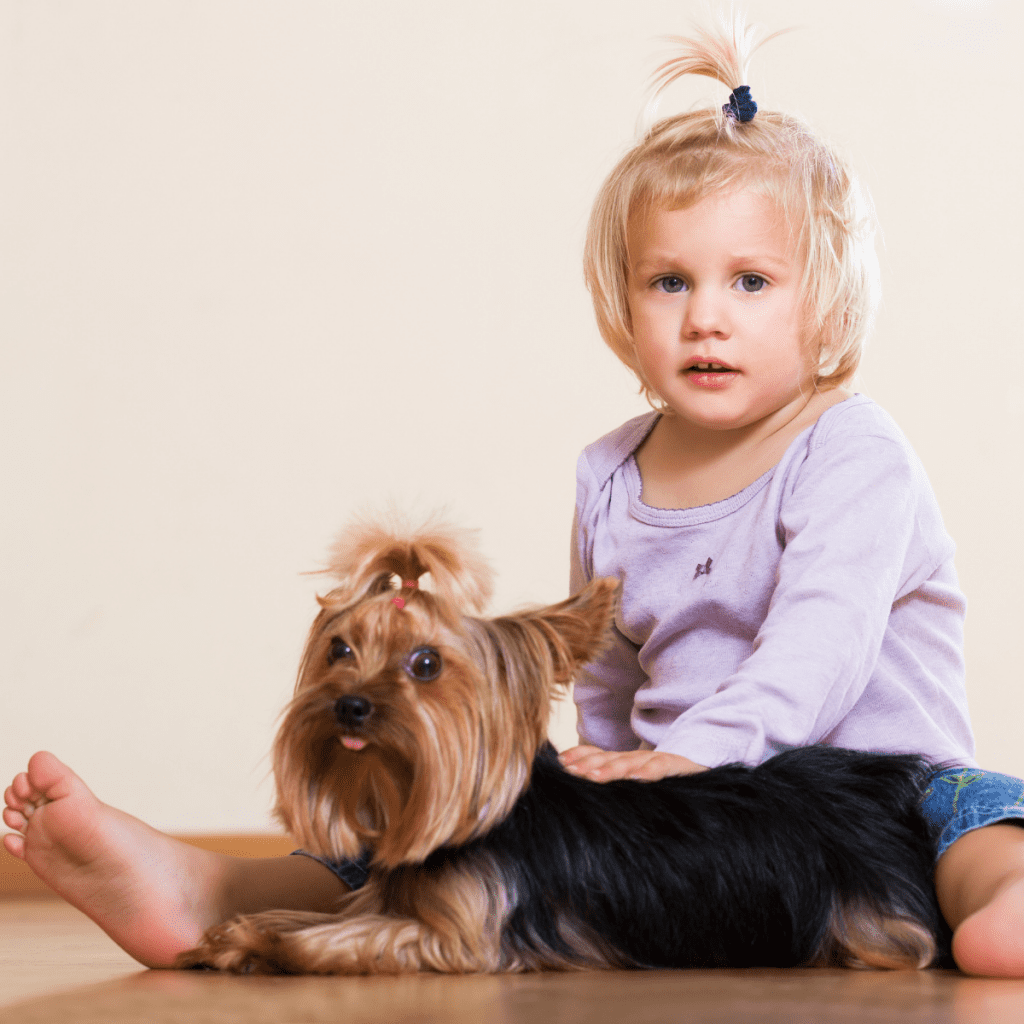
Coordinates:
(152, 894)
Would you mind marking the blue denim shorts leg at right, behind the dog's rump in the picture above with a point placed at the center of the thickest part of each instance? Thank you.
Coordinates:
(960, 800)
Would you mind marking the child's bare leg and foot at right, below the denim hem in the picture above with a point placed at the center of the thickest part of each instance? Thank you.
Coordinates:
(980, 885)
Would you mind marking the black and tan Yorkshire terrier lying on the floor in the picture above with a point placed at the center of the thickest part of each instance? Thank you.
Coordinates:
(418, 733)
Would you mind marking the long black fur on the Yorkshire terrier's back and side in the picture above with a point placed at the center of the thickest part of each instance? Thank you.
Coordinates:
(735, 867)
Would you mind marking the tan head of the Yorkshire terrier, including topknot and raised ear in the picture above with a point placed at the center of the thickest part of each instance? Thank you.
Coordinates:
(415, 723)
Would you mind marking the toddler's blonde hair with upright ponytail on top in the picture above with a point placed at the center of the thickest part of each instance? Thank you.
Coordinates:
(685, 159)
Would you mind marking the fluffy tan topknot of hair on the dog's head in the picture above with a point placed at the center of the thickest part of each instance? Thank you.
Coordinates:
(371, 548)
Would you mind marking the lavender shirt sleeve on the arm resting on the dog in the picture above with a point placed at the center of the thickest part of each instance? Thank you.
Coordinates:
(851, 549)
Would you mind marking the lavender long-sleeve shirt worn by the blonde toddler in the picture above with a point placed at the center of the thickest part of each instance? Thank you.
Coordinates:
(820, 605)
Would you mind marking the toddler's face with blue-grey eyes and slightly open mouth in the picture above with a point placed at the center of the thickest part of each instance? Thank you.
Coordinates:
(718, 283)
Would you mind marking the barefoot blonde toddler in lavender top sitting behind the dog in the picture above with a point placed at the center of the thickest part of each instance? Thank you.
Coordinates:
(787, 579)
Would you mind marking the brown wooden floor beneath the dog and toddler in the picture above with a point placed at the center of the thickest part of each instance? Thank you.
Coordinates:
(56, 966)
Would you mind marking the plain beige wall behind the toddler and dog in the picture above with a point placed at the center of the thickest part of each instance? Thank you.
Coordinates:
(266, 264)
